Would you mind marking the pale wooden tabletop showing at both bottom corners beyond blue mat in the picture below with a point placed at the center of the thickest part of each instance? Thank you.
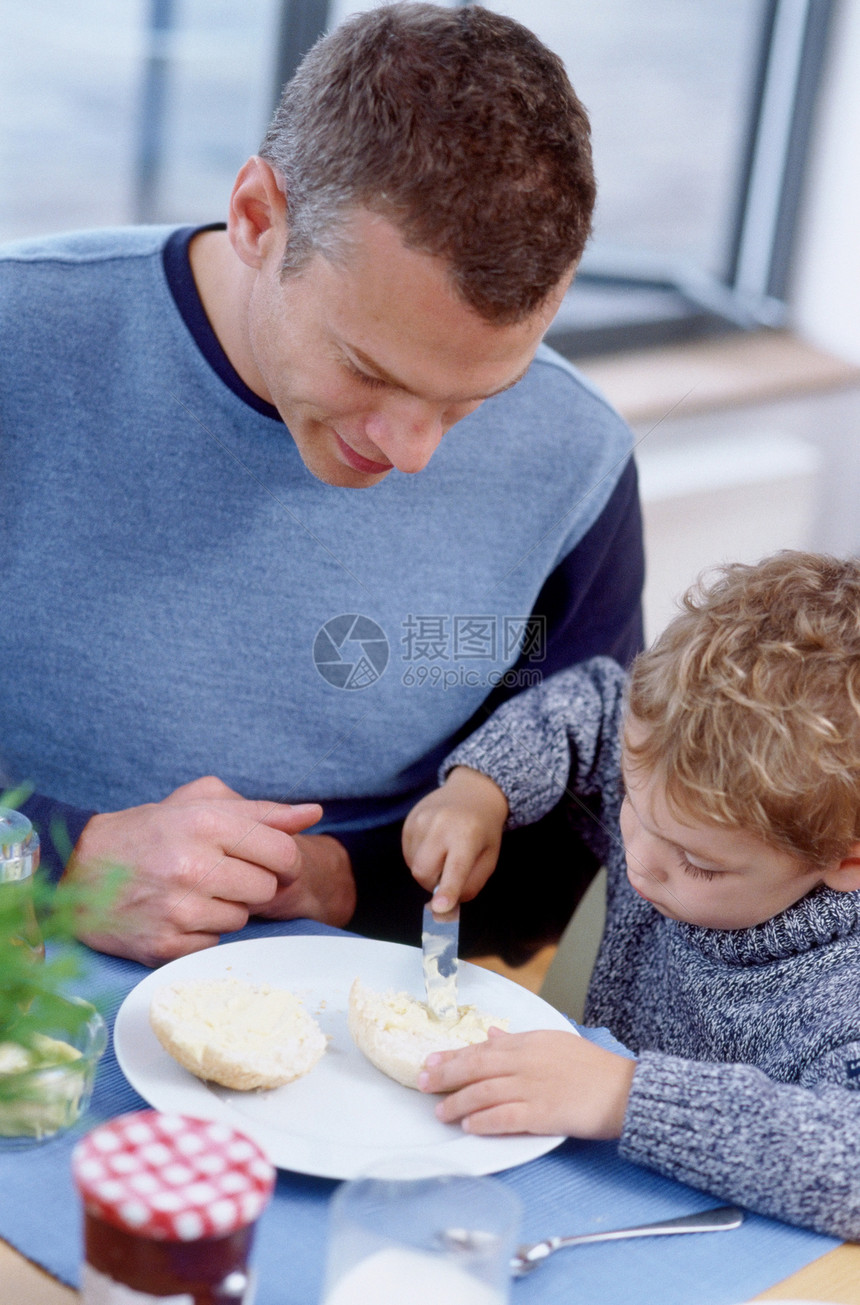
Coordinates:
(833, 1278)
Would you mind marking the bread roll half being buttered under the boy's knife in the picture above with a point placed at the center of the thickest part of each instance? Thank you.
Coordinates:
(397, 1033)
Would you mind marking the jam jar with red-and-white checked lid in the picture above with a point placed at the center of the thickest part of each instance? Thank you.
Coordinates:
(170, 1206)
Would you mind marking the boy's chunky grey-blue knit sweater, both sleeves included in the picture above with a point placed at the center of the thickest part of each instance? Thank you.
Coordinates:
(748, 1041)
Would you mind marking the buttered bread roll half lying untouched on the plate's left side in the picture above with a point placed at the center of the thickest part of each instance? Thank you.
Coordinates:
(237, 1034)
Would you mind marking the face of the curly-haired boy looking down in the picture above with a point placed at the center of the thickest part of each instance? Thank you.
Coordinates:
(722, 879)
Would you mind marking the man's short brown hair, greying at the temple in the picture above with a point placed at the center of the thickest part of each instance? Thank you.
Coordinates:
(461, 129)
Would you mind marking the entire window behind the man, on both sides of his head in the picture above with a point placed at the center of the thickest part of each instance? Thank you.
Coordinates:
(144, 110)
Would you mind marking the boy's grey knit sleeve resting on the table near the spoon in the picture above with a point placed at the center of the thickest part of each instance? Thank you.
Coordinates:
(780, 1149)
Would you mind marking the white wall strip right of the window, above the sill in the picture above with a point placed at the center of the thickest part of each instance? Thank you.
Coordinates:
(825, 299)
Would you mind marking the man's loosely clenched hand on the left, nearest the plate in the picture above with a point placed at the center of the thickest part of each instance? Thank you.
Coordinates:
(200, 863)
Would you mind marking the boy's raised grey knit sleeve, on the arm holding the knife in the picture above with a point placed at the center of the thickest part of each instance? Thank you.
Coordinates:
(562, 738)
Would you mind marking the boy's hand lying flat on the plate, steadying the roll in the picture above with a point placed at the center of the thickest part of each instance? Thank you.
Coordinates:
(541, 1082)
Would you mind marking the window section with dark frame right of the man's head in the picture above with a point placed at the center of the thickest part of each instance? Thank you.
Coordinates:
(700, 118)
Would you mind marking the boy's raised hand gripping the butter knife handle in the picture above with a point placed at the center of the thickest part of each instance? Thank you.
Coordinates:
(452, 837)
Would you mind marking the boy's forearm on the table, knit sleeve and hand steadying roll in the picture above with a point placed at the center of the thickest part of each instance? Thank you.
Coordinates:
(782, 1150)
